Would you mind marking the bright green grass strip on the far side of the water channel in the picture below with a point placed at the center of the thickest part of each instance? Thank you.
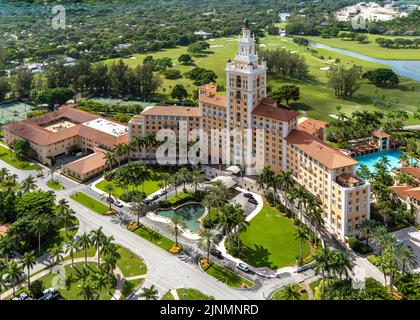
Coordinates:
(371, 49)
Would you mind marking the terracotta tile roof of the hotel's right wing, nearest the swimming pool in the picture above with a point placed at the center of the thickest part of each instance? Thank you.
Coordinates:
(330, 157)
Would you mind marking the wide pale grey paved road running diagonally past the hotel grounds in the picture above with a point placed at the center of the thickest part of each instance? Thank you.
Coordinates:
(165, 270)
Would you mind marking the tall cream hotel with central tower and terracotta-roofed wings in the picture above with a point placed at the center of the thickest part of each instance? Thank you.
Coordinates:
(288, 146)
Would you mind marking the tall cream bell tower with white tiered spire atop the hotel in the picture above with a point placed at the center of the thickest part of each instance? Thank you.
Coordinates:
(245, 88)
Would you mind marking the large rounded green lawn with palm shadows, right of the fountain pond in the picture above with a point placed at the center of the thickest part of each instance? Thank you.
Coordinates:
(269, 240)
